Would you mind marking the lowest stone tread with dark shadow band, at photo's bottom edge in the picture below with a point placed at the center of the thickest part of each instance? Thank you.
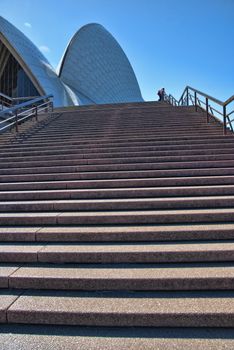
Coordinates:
(41, 337)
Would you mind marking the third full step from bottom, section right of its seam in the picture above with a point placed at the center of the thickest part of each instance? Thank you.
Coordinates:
(137, 253)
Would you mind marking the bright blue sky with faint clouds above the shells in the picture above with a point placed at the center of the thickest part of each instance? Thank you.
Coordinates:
(170, 43)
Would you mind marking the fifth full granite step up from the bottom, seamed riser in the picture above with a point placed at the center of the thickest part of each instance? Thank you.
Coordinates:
(118, 217)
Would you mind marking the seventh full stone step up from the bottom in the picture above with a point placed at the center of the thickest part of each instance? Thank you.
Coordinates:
(111, 193)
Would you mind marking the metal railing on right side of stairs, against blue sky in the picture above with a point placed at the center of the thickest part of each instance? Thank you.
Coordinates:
(210, 105)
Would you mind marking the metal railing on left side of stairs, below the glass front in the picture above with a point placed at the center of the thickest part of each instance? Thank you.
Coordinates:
(12, 117)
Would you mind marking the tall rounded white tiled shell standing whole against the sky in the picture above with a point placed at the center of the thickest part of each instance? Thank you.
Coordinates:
(95, 66)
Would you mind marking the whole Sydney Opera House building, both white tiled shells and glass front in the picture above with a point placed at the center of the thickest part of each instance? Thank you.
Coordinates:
(93, 70)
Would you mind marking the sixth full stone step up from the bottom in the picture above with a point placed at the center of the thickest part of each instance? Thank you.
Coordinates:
(79, 205)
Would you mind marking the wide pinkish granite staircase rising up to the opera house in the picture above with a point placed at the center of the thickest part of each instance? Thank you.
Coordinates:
(117, 231)
